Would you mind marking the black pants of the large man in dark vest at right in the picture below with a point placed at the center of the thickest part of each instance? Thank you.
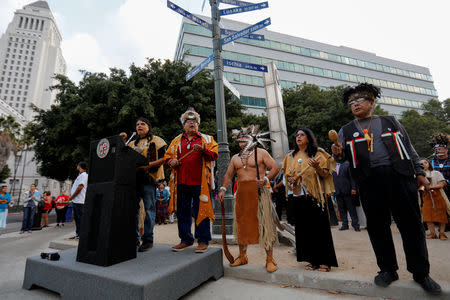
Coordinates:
(384, 192)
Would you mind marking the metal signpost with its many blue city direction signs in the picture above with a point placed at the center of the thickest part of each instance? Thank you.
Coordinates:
(218, 42)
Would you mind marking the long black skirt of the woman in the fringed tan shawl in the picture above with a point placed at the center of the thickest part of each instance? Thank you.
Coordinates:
(313, 234)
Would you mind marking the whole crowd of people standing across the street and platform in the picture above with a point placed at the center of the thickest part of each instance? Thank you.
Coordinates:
(373, 175)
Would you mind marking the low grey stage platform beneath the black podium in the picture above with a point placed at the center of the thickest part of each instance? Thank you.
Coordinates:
(156, 274)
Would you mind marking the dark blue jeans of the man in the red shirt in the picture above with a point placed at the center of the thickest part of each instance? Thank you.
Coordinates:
(188, 201)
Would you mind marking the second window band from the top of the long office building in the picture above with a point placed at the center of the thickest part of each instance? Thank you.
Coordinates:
(300, 68)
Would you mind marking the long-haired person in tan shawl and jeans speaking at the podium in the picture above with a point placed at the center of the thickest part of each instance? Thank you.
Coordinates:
(153, 148)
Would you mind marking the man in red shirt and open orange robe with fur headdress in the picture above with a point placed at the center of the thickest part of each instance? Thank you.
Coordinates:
(191, 156)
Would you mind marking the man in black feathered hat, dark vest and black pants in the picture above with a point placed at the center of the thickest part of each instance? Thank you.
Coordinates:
(388, 172)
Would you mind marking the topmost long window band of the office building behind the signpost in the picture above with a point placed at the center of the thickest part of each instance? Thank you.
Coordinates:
(316, 54)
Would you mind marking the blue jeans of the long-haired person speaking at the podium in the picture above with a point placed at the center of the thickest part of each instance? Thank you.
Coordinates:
(146, 192)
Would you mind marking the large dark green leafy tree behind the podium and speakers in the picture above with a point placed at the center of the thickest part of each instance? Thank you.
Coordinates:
(104, 105)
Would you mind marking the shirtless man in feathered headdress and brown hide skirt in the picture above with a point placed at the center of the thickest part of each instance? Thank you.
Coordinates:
(253, 208)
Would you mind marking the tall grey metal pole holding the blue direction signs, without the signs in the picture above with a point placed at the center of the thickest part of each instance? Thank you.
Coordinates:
(222, 140)
